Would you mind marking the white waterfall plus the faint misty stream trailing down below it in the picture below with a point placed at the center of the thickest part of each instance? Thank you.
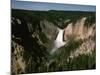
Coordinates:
(57, 44)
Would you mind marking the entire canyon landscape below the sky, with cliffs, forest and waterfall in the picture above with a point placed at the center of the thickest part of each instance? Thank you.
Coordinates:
(62, 41)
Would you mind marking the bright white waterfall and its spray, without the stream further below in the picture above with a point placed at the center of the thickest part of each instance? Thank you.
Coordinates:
(58, 42)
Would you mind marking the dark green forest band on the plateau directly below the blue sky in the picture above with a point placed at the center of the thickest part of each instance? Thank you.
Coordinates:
(57, 17)
